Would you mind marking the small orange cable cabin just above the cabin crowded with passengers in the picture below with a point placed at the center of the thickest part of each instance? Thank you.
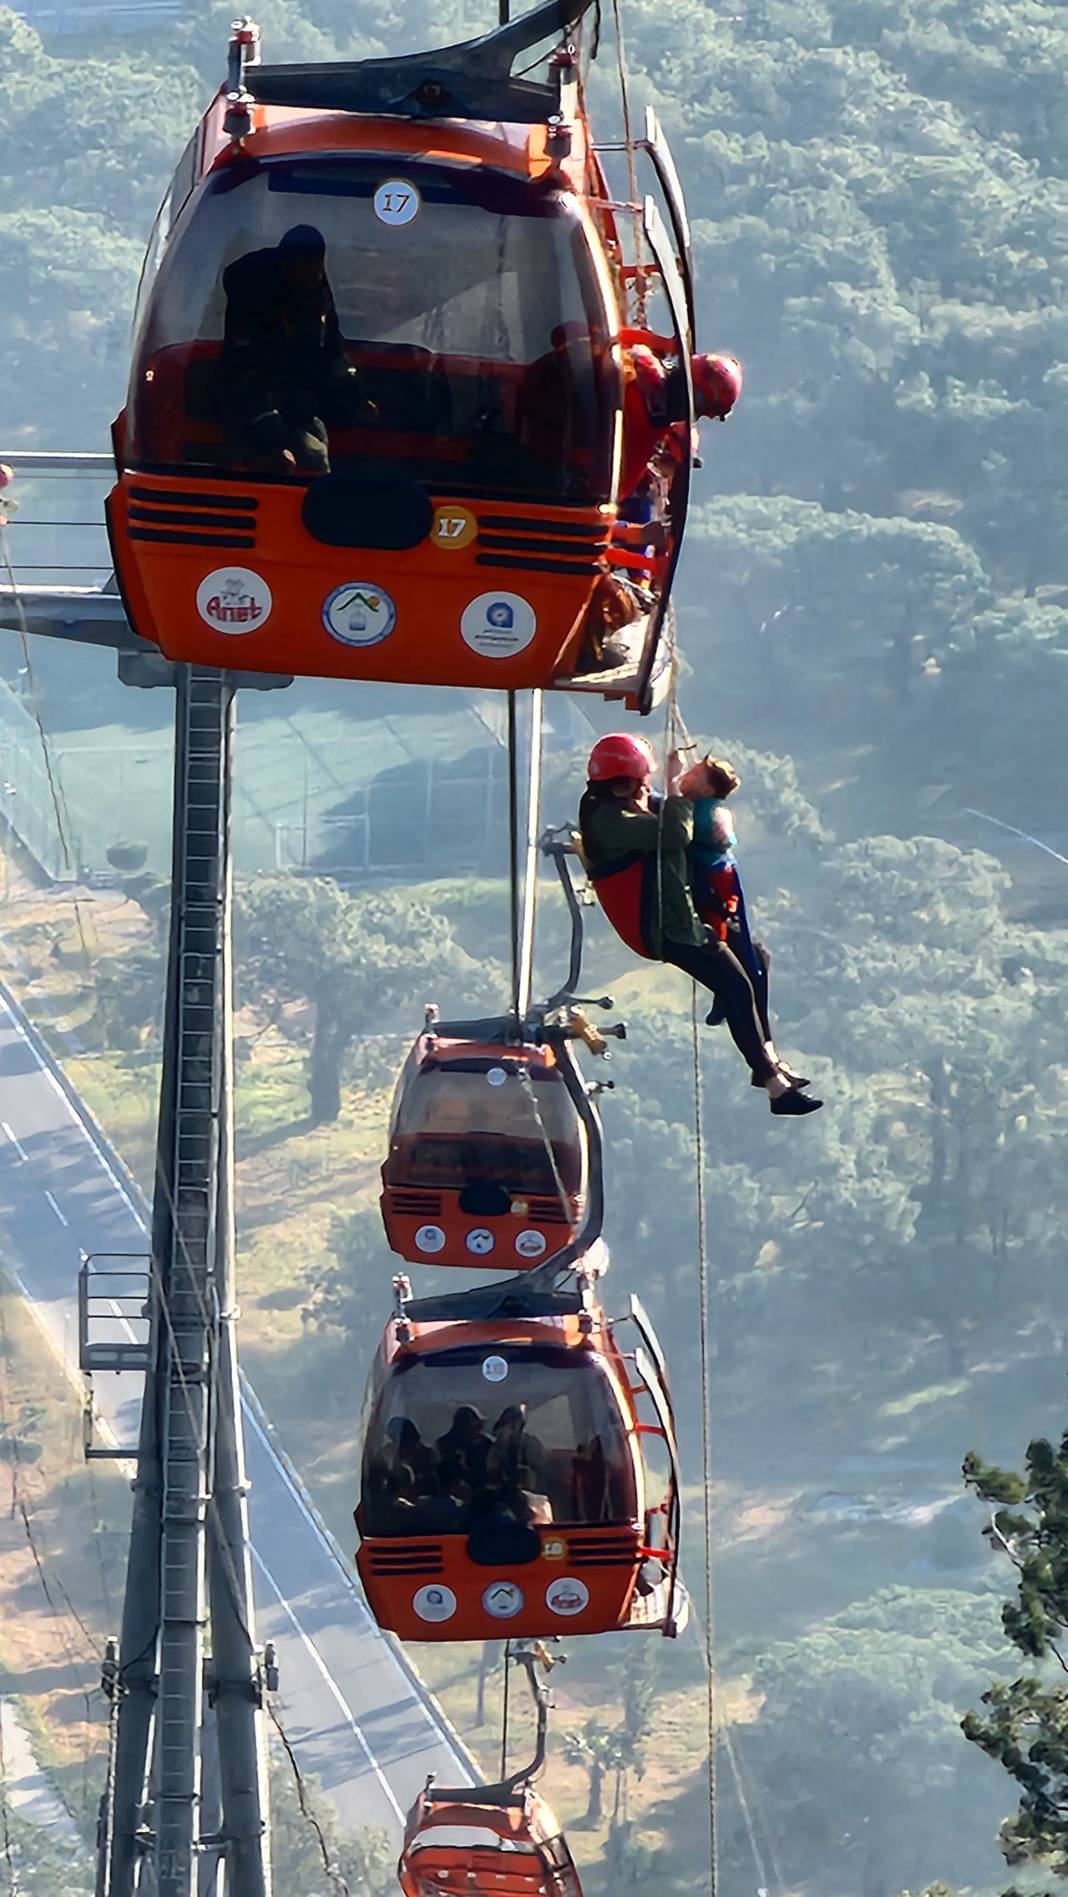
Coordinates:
(488, 1151)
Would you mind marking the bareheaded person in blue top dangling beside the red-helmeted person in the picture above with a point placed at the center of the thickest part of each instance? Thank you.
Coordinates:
(720, 898)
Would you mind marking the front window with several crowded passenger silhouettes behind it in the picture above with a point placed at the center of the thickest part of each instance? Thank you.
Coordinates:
(452, 1448)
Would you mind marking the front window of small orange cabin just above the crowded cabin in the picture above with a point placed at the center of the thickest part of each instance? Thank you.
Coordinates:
(456, 1124)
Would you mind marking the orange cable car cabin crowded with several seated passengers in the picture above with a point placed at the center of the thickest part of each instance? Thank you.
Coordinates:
(509, 1473)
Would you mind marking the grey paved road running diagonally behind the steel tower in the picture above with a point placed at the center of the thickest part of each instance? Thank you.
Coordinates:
(354, 1714)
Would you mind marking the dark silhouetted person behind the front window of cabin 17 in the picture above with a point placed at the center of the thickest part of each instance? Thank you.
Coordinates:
(285, 373)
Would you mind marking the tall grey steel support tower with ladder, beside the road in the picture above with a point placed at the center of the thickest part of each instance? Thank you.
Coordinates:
(189, 1556)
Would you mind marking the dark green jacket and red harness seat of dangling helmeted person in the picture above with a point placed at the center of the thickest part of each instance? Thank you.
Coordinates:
(640, 870)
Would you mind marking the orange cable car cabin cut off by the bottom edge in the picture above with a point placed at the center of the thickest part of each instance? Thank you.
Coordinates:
(466, 1847)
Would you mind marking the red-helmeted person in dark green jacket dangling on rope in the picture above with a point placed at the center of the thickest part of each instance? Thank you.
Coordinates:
(636, 851)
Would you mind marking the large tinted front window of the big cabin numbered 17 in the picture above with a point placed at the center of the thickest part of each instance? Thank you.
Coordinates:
(293, 329)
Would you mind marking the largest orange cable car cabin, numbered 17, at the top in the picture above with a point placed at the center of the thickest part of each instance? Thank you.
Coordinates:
(377, 413)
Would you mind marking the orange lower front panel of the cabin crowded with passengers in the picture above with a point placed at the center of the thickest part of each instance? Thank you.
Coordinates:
(428, 1589)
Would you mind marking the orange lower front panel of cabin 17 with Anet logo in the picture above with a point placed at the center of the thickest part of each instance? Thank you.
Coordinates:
(225, 574)
